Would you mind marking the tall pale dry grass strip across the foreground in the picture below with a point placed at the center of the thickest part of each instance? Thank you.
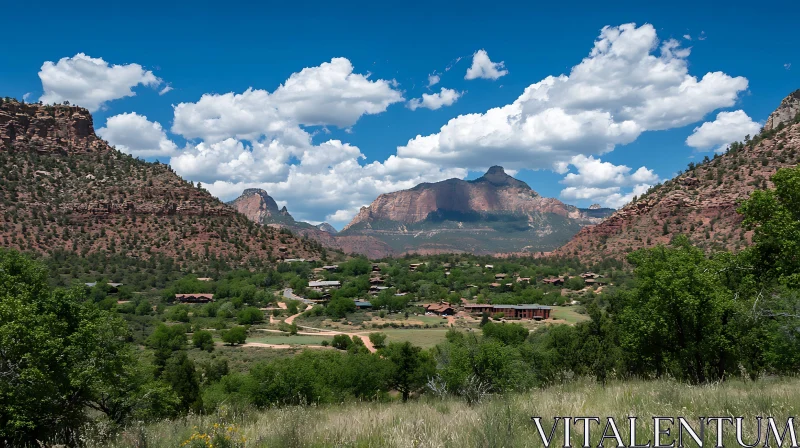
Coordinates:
(502, 421)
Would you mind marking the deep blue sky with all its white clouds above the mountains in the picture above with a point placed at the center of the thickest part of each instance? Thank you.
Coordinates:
(324, 157)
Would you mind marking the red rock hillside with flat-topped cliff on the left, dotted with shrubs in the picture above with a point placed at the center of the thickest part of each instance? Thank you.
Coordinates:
(65, 188)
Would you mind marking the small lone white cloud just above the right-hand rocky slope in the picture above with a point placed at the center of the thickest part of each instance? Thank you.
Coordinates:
(728, 127)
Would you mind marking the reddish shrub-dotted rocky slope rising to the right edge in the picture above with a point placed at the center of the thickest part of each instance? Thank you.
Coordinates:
(701, 202)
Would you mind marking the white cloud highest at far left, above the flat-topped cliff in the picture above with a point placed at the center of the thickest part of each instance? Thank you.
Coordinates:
(91, 82)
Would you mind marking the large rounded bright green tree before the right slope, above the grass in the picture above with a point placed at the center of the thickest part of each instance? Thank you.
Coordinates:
(679, 319)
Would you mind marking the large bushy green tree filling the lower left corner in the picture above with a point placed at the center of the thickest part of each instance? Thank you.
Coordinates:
(59, 354)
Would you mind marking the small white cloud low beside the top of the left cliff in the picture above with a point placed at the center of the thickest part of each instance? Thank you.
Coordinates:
(134, 134)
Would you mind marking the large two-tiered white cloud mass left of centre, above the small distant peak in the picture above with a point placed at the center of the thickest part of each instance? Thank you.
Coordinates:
(257, 139)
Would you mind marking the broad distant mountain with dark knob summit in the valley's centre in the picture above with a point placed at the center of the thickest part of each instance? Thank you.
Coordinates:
(494, 213)
